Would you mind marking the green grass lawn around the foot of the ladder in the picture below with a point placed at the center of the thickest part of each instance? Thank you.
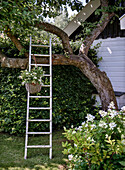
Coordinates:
(12, 153)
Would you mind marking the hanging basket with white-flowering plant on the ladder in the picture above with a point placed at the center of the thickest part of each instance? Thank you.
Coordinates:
(33, 79)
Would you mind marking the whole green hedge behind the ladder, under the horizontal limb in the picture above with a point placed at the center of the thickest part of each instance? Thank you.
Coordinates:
(71, 100)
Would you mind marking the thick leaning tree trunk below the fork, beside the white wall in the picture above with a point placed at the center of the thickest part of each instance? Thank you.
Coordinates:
(99, 80)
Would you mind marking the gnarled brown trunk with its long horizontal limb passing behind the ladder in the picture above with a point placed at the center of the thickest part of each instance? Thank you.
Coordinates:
(99, 79)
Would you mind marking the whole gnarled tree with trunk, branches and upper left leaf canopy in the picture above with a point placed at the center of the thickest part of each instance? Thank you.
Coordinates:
(21, 18)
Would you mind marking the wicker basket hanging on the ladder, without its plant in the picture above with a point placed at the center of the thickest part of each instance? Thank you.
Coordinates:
(33, 88)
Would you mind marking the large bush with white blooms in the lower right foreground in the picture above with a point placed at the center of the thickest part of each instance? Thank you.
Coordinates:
(93, 144)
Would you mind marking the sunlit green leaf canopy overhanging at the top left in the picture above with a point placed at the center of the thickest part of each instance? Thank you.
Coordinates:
(21, 16)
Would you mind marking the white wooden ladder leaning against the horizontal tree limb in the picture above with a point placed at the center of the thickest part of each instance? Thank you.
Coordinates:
(43, 108)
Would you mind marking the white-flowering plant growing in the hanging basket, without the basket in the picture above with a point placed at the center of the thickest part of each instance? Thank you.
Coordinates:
(34, 76)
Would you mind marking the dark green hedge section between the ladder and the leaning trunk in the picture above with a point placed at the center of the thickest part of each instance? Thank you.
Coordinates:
(71, 96)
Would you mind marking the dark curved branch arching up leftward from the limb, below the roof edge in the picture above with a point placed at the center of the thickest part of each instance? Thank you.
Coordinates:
(60, 33)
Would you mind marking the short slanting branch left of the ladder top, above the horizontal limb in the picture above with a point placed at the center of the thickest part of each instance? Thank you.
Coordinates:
(15, 41)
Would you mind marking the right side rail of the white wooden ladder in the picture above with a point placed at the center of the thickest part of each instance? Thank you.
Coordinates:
(50, 51)
